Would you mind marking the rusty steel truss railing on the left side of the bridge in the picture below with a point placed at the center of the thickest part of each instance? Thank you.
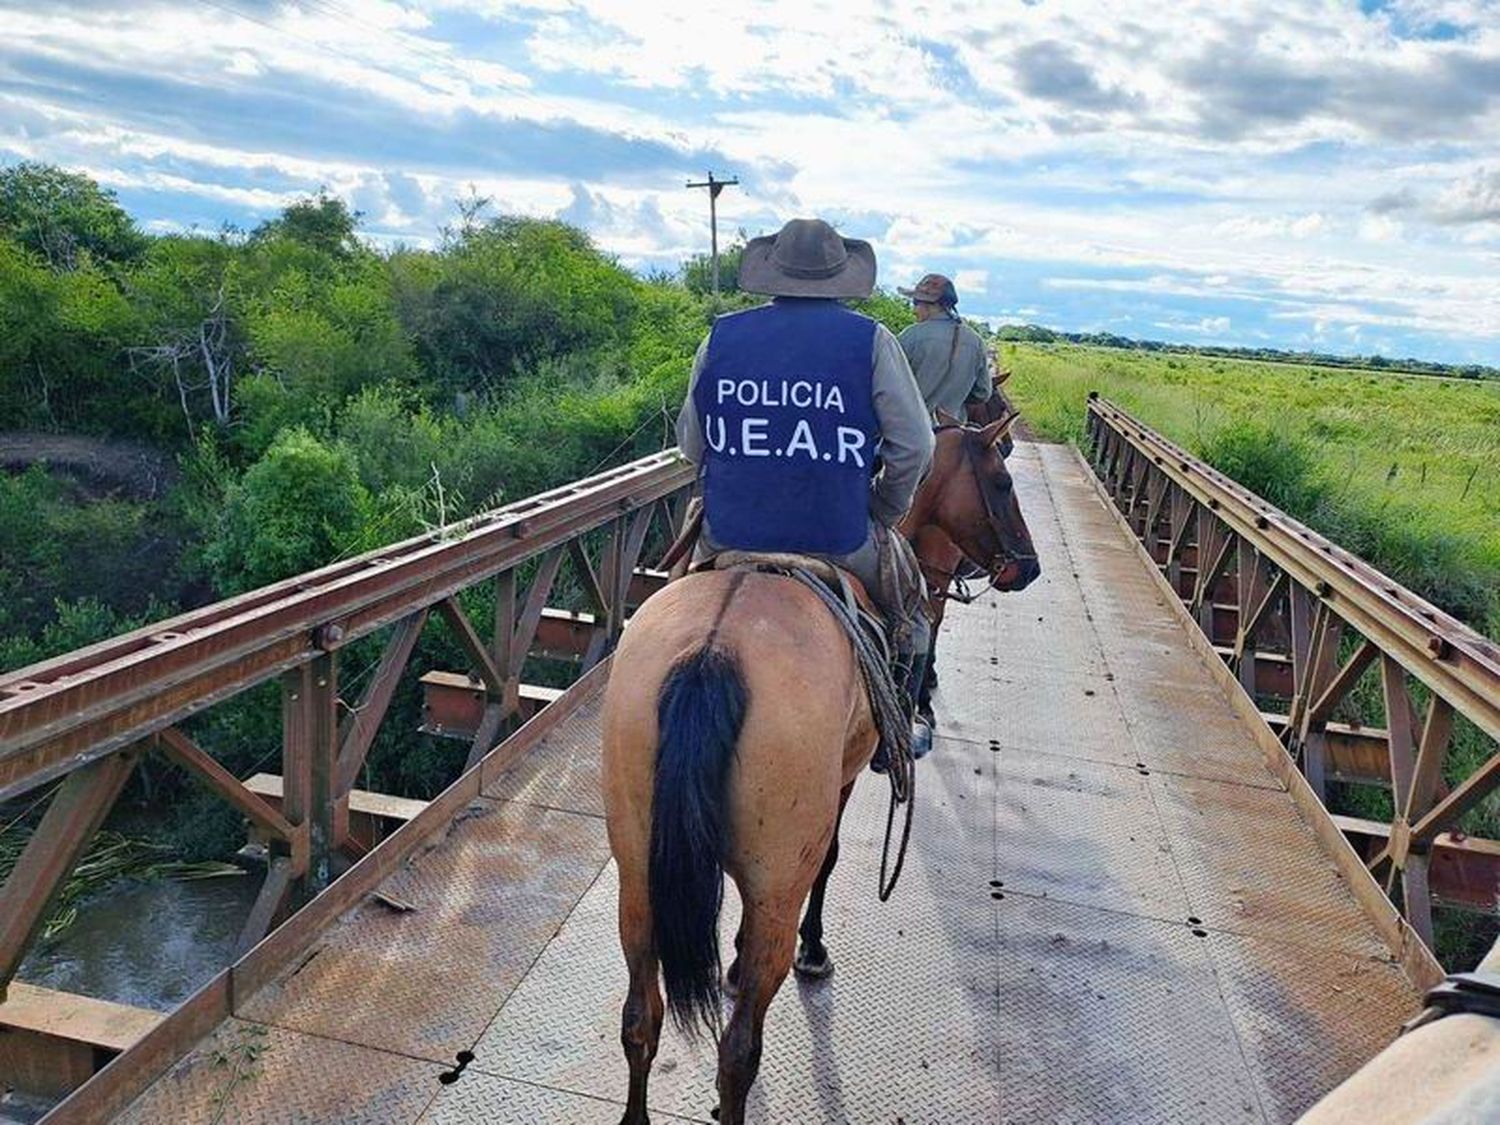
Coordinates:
(83, 721)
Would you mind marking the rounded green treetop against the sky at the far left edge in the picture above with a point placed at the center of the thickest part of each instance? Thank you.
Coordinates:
(64, 217)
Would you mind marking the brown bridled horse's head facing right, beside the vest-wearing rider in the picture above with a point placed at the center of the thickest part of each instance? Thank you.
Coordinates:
(971, 499)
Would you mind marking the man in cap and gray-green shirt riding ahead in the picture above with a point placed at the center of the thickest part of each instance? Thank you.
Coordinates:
(947, 356)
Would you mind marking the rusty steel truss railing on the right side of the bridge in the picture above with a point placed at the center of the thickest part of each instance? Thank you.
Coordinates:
(1319, 638)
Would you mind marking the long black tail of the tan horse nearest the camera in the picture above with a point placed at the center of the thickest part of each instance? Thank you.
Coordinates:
(700, 713)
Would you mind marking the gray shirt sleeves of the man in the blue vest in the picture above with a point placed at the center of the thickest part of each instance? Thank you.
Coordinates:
(907, 437)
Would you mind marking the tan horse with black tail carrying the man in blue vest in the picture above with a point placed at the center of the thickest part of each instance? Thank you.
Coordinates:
(736, 725)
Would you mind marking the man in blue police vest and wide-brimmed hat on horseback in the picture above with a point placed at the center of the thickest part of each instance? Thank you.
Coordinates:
(809, 428)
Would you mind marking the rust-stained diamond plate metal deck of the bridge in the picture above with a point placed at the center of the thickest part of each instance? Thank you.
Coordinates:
(1111, 913)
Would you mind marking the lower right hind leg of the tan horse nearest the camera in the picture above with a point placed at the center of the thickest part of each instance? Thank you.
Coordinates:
(766, 964)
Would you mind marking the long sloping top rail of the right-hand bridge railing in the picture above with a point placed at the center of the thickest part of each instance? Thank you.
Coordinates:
(1451, 659)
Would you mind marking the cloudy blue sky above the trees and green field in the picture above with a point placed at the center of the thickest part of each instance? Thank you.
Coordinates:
(1303, 175)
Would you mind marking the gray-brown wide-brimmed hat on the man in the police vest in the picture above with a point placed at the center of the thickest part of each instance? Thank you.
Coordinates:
(808, 259)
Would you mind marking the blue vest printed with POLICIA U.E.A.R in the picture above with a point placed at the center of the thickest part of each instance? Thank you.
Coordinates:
(787, 404)
